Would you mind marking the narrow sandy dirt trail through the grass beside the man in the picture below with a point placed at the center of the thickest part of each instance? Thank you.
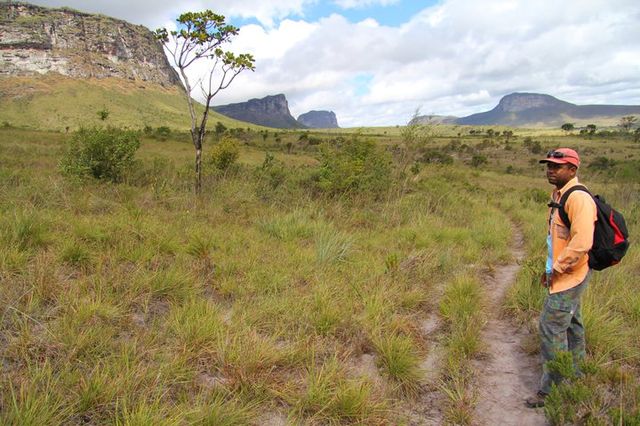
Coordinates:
(507, 375)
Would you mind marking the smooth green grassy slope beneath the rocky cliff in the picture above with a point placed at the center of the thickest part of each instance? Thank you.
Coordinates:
(53, 101)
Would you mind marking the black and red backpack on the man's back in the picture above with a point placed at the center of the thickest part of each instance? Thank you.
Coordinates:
(610, 236)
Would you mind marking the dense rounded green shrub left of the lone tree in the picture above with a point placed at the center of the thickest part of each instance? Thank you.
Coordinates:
(101, 153)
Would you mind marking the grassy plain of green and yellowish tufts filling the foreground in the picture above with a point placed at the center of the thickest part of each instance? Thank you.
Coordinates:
(265, 300)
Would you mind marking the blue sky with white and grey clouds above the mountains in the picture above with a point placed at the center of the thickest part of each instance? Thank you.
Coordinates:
(377, 62)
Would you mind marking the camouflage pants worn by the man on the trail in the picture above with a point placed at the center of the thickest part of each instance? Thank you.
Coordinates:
(561, 329)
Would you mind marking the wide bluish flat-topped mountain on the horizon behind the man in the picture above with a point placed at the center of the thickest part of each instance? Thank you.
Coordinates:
(539, 110)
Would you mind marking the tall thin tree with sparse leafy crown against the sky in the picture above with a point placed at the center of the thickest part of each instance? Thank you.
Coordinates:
(199, 37)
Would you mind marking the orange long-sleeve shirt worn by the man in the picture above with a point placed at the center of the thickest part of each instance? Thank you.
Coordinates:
(570, 247)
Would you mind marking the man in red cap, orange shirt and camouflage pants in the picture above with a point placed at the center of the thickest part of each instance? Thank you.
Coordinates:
(567, 270)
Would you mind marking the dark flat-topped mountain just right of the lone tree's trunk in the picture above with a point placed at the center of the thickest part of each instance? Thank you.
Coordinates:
(270, 111)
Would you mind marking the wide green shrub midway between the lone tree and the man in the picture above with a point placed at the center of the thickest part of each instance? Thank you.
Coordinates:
(358, 166)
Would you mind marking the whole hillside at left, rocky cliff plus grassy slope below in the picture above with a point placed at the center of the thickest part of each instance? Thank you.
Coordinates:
(60, 67)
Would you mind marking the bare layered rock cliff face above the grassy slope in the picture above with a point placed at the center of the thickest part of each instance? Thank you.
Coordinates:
(38, 40)
